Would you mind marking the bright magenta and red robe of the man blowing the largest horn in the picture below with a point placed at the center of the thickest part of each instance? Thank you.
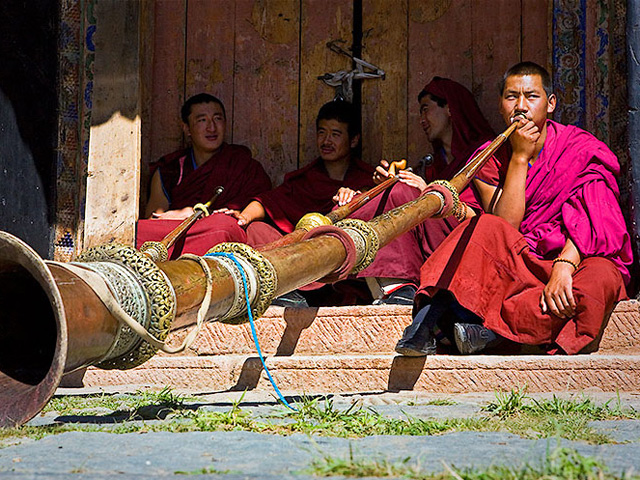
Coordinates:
(499, 273)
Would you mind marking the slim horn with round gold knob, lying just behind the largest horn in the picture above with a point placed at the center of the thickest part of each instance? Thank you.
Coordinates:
(313, 220)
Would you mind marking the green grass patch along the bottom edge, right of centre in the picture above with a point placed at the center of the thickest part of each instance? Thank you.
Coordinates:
(560, 464)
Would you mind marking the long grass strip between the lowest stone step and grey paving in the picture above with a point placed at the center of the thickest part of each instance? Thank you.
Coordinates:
(513, 411)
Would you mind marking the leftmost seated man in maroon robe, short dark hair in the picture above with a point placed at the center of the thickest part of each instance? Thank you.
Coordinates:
(190, 176)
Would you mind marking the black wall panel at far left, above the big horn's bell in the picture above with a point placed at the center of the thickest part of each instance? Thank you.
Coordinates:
(28, 119)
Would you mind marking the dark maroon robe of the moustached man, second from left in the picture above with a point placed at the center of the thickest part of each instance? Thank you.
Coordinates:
(309, 189)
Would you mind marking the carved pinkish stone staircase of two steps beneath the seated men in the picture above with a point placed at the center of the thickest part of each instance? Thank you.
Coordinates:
(350, 349)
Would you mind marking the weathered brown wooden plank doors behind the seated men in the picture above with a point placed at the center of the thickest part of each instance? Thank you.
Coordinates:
(263, 57)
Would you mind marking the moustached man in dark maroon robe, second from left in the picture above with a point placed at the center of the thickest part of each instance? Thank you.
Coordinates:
(310, 189)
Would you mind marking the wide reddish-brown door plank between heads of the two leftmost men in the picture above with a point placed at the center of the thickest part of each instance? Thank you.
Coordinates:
(266, 82)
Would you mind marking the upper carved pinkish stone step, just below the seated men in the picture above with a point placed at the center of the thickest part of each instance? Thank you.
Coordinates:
(359, 330)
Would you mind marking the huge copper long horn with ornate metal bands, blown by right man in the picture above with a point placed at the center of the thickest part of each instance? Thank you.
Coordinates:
(58, 317)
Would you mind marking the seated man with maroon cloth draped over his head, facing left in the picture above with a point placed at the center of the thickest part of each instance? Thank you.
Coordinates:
(455, 126)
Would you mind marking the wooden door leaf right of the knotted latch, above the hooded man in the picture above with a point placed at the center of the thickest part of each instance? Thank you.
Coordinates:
(415, 40)
